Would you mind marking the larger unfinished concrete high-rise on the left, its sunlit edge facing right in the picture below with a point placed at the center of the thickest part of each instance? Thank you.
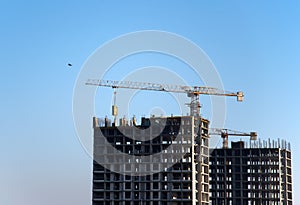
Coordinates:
(162, 161)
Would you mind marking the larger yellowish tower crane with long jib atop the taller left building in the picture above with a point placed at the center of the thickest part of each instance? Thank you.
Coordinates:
(192, 92)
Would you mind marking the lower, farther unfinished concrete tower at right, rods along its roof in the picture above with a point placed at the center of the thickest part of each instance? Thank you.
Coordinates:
(260, 174)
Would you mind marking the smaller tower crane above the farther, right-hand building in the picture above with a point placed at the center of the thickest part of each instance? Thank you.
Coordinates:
(224, 133)
